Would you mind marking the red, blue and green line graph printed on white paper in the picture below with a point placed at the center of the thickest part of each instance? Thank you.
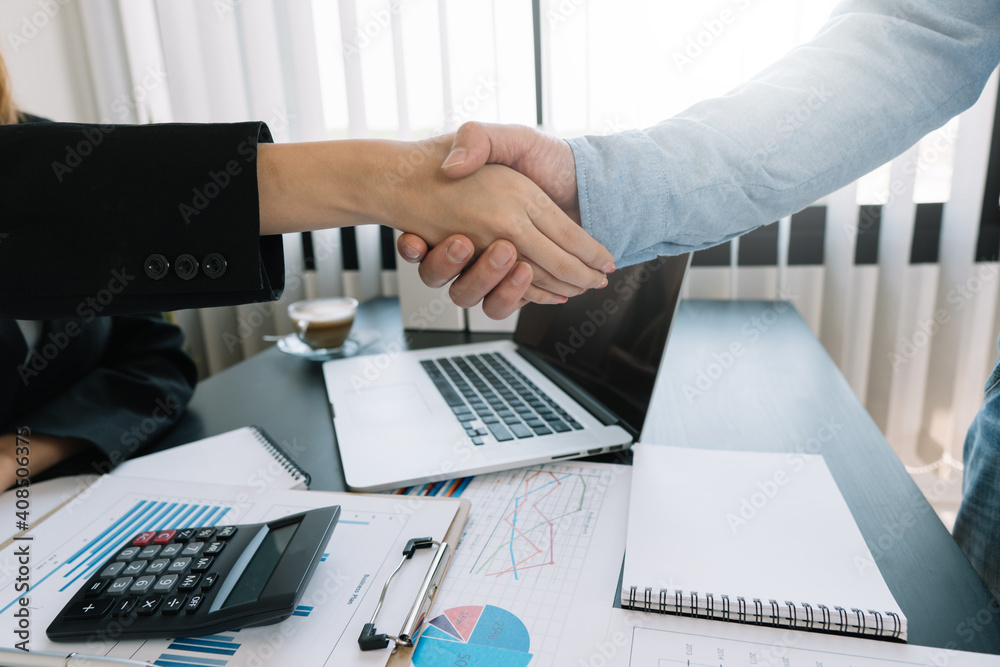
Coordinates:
(526, 537)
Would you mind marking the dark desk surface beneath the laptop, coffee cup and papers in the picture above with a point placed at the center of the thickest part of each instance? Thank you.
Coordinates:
(778, 392)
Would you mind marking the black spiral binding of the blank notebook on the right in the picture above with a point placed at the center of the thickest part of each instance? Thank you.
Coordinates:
(788, 614)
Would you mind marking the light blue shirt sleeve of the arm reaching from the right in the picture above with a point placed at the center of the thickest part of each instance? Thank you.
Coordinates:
(877, 77)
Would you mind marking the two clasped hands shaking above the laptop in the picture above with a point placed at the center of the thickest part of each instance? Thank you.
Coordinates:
(513, 189)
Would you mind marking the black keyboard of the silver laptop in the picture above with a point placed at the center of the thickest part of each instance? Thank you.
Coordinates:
(490, 397)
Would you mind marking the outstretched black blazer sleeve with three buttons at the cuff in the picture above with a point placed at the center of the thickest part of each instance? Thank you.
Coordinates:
(109, 219)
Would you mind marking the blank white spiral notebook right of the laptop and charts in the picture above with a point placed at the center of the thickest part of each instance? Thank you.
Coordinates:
(751, 537)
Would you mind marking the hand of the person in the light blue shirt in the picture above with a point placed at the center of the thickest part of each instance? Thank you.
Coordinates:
(546, 160)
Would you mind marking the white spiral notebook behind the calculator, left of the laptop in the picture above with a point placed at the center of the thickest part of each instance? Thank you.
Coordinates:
(247, 456)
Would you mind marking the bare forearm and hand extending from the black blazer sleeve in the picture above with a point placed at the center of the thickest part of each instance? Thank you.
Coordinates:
(319, 185)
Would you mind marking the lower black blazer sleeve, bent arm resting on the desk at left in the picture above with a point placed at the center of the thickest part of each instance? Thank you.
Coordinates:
(137, 388)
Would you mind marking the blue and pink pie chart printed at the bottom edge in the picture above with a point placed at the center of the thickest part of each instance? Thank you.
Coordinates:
(484, 636)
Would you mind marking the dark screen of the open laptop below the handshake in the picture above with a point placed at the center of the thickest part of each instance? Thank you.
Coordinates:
(609, 342)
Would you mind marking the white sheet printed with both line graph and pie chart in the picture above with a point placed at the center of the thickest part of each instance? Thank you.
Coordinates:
(534, 536)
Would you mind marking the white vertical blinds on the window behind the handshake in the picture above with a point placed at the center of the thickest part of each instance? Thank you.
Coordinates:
(890, 271)
